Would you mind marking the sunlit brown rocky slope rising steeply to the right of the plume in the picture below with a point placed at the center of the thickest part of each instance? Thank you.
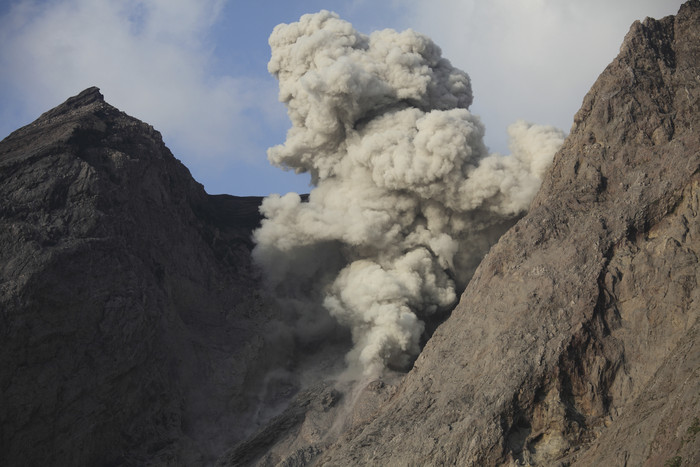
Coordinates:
(577, 339)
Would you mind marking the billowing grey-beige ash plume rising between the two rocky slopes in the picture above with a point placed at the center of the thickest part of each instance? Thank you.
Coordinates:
(407, 199)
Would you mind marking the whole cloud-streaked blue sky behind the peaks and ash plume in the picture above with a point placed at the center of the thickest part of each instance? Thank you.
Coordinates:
(197, 69)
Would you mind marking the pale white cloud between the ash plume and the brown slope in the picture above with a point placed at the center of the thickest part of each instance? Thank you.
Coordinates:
(531, 59)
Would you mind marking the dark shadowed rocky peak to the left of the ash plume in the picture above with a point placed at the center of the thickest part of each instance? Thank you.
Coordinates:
(130, 309)
